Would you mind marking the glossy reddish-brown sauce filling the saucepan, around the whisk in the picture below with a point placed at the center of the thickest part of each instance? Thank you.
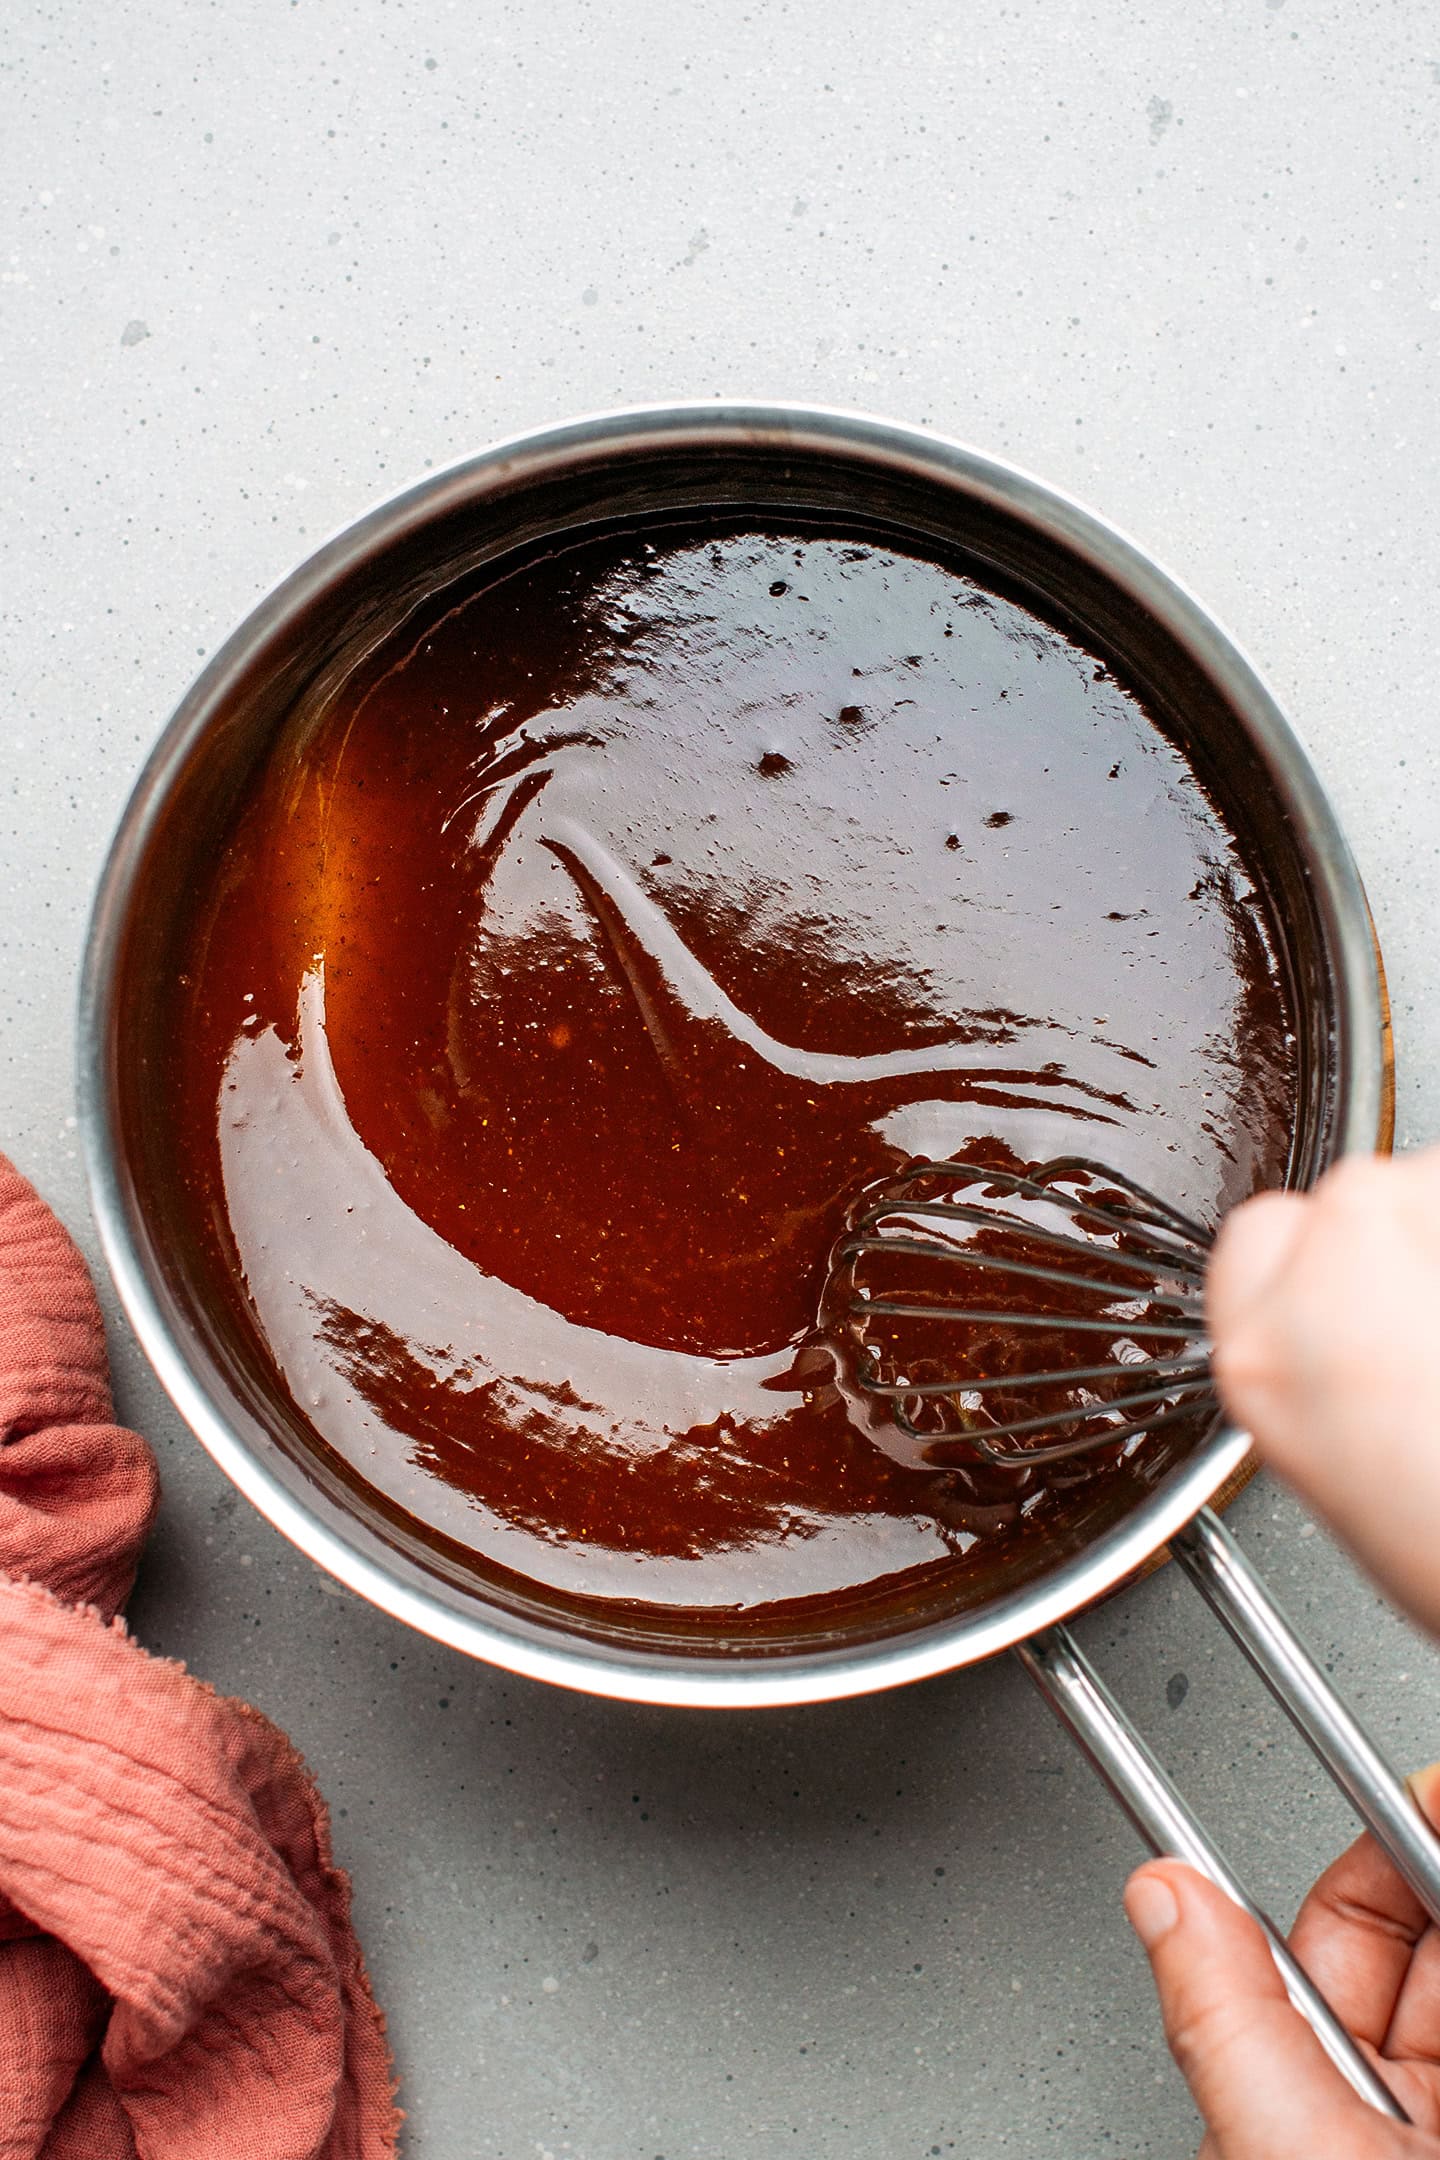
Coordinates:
(601, 939)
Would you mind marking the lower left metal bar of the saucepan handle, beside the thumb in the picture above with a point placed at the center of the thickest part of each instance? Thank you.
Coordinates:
(1098, 1725)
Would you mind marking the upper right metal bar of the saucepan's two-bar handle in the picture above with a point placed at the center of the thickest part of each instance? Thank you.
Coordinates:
(1247, 1608)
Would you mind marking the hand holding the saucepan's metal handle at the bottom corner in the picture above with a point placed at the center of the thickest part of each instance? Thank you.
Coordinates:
(1260, 2077)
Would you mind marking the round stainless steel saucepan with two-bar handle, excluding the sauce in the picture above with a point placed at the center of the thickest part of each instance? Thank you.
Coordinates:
(793, 459)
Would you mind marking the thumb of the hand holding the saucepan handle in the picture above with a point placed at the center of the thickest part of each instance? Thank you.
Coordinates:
(1260, 2077)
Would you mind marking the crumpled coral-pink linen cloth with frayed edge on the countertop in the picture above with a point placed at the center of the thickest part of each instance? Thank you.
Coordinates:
(178, 1971)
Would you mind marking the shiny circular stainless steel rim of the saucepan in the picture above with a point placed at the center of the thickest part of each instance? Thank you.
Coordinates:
(314, 1520)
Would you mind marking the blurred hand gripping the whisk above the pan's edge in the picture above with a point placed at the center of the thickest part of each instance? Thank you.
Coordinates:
(1324, 1314)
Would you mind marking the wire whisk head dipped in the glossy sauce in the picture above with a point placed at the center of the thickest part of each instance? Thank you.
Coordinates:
(973, 1301)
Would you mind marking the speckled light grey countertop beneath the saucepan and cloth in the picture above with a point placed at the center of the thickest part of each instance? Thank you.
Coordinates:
(269, 260)
